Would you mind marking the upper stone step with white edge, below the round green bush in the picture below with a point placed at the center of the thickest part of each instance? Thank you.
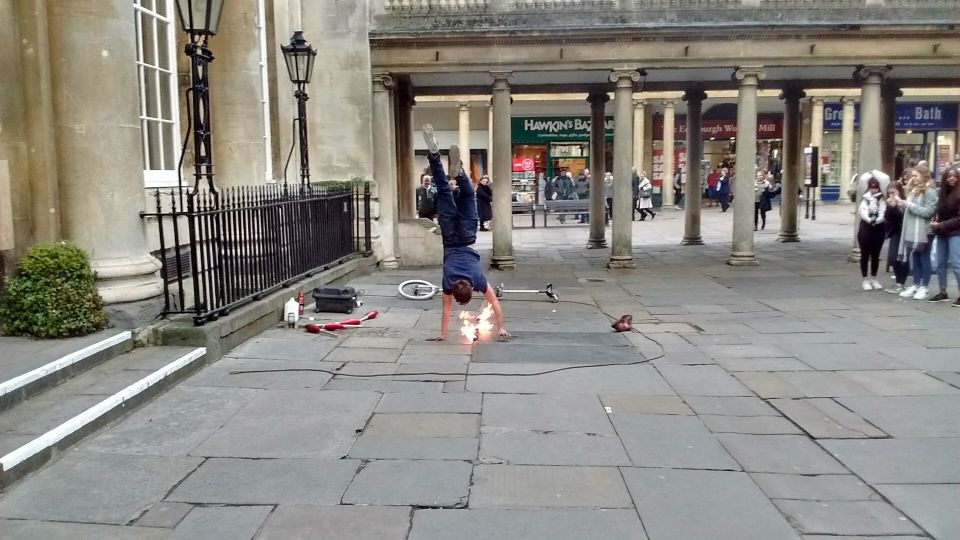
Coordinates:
(31, 366)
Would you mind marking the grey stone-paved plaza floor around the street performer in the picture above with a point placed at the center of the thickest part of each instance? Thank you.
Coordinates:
(767, 403)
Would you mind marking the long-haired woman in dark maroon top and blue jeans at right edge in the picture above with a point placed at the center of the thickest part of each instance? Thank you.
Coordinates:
(946, 227)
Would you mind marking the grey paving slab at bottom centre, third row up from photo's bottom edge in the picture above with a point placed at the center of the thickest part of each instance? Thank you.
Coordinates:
(533, 448)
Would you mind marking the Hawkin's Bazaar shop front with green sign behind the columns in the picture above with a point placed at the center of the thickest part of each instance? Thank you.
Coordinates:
(544, 146)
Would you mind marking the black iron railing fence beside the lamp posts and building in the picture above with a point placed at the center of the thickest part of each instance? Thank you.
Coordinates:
(223, 249)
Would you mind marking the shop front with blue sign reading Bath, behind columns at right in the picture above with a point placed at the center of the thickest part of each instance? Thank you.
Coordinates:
(925, 131)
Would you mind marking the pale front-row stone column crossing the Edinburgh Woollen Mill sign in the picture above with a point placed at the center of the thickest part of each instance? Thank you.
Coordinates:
(742, 253)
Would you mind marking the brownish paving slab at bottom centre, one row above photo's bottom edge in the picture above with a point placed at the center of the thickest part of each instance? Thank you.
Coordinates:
(526, 486)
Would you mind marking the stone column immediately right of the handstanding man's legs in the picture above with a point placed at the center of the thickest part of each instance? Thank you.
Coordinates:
(502, 208)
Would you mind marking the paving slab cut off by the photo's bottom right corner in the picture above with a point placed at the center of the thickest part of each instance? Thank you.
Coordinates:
(933, 507)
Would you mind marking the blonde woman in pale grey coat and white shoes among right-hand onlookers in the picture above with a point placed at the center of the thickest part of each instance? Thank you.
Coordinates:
(918, 207)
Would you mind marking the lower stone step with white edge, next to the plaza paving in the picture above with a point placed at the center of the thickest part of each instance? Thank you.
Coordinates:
(35, 430)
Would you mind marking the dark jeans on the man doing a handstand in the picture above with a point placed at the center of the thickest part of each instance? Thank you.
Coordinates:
(457, 213)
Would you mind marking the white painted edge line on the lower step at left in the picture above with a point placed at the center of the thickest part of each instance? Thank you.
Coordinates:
(58, 433)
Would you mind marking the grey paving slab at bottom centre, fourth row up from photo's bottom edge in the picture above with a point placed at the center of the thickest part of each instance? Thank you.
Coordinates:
(546, 413)
